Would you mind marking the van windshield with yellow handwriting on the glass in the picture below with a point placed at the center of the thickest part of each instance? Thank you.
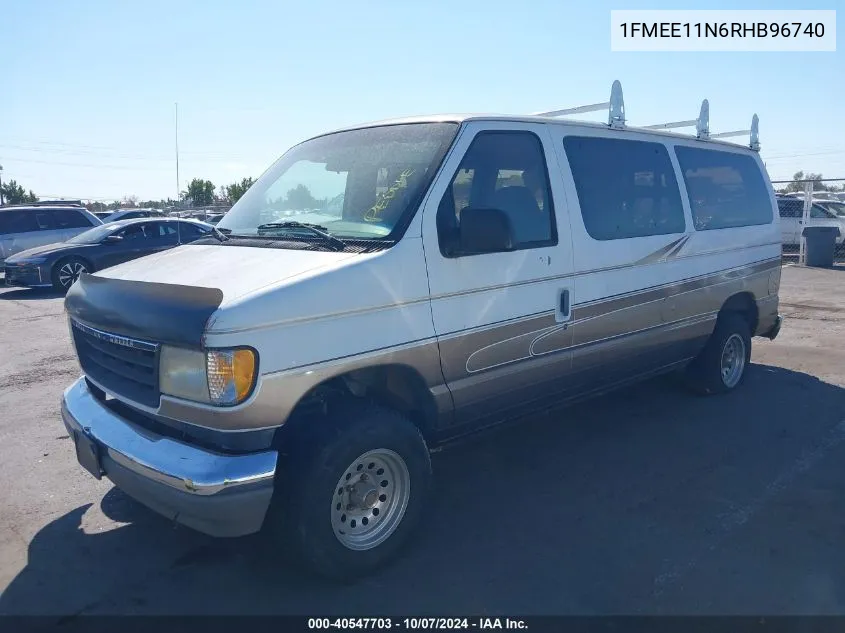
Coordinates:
(358, 184)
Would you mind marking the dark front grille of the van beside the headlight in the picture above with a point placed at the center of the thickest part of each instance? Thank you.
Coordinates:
(125, 366)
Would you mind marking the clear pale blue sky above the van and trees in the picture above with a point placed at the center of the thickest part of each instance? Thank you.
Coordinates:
(88, 90)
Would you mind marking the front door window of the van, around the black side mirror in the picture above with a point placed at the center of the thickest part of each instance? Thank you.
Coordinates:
(505, 171)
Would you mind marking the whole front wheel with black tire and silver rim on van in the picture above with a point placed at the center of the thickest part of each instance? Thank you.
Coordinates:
(366, 466)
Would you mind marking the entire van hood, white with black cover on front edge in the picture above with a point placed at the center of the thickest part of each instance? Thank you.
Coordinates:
(169, 297)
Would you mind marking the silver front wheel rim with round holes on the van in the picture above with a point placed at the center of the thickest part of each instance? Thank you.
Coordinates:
(370, 499)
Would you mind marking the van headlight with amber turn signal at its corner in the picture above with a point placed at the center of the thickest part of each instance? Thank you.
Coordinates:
(215, 376)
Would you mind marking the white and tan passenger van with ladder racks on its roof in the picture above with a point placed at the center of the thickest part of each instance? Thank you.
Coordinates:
(387, 287)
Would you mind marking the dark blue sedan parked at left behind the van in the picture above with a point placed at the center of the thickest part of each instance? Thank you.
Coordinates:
(59, 265)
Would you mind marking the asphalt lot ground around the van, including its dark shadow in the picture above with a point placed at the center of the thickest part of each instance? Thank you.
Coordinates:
(648, 501)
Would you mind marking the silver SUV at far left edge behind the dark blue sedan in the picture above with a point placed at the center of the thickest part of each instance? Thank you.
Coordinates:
(26, 226)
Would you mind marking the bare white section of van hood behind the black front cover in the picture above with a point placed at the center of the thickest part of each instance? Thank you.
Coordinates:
(234, 270)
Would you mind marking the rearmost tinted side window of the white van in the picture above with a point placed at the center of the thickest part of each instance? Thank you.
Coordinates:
(725, 189)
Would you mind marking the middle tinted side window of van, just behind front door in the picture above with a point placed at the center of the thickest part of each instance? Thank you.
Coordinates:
(625, 188)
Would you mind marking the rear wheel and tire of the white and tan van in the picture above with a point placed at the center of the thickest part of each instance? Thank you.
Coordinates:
(731, 342)
